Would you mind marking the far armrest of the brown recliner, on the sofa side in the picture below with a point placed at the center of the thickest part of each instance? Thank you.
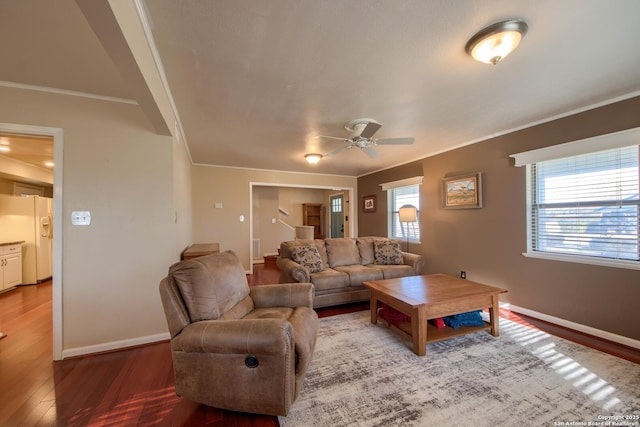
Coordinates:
(283, 295)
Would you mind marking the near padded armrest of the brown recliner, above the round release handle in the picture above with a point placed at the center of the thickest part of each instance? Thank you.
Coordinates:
(242, 336)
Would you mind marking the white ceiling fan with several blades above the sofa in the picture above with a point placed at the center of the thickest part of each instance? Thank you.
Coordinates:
(362, 131)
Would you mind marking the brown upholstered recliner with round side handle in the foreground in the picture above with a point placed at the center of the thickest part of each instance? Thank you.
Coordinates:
(237, 347)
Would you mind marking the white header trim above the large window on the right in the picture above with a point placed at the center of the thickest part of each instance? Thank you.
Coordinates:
(608, 141)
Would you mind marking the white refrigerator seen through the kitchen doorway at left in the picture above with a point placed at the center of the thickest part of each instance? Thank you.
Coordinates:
(29, 219)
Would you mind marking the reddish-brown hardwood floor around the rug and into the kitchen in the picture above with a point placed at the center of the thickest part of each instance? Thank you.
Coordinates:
(131, 387)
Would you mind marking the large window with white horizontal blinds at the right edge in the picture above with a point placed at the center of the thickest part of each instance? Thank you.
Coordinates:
(586, 205)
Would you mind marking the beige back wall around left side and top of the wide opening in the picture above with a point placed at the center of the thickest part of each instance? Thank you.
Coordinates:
(231, 187)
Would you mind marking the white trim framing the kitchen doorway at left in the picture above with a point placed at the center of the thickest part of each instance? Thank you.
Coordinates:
(58, 141)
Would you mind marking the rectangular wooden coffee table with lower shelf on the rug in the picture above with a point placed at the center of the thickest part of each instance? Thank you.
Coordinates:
(432, 296)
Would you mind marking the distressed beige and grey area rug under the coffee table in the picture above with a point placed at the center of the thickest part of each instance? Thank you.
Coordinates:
(366, 375)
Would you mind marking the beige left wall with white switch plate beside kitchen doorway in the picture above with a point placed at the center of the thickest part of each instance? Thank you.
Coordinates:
(115, 166)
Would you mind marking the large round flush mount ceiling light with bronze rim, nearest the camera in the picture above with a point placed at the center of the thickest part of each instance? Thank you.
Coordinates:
(495, 42)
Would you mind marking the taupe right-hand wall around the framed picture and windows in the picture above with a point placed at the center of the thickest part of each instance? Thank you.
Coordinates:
(487, 243)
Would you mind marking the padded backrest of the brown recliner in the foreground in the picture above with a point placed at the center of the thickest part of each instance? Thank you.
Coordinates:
(207, 295)
